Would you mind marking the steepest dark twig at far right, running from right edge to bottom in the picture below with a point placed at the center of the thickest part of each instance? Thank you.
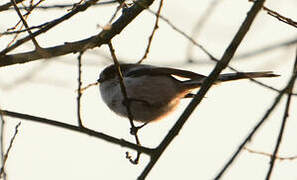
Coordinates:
(285, 117)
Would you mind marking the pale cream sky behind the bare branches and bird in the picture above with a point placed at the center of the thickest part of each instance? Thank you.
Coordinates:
(210, 136)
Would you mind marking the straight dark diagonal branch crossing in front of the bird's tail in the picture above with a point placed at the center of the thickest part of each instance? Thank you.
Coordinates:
(222, 64)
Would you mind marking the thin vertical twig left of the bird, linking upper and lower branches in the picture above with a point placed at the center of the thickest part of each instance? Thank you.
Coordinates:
(80, 124)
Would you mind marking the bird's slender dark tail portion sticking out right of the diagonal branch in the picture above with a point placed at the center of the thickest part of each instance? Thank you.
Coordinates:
(245, 75)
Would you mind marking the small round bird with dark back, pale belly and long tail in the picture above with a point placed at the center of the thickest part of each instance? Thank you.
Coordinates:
(154, 92)
